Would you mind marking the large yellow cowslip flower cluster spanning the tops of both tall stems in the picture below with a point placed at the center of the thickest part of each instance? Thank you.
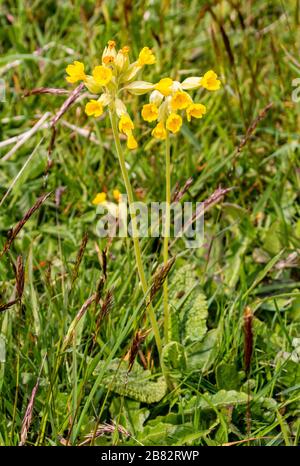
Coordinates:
(167, 97)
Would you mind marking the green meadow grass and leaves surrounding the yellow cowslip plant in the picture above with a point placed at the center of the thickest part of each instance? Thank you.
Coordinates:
(252, 238)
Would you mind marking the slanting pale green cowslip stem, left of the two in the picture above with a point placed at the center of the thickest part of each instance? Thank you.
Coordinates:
(136, 244)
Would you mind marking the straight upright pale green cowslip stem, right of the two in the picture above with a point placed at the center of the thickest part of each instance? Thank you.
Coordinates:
(166, 237)
